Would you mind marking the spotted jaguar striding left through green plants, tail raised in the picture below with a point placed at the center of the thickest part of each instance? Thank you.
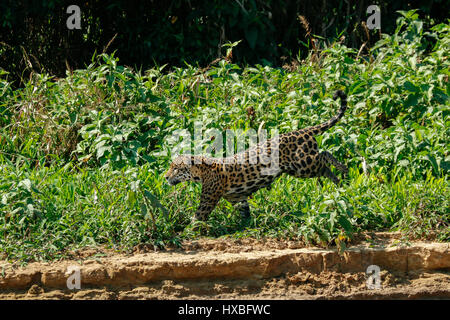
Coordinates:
(237, 177)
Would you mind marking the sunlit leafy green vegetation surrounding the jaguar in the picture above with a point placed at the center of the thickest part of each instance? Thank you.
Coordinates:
(82, 158)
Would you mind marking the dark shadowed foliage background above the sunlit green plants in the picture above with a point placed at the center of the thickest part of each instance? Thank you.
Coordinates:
(34, 35)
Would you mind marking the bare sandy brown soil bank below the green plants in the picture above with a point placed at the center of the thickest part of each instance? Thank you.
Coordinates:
(241, 269)
